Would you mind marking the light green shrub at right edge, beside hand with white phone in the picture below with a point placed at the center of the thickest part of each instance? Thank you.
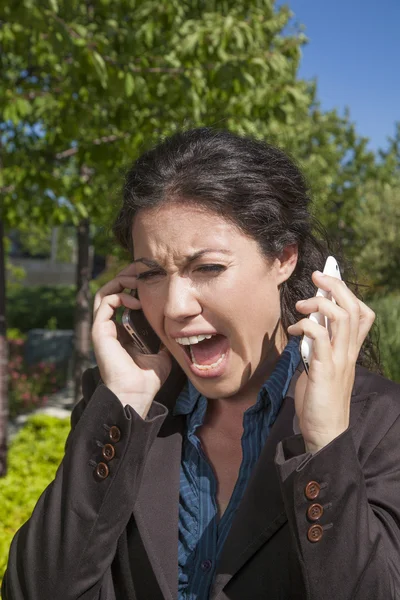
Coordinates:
(387, 310)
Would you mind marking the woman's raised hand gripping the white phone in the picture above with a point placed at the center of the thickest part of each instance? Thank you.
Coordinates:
(322, 398)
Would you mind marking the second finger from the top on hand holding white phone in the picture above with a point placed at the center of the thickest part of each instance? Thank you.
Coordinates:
(338, 321)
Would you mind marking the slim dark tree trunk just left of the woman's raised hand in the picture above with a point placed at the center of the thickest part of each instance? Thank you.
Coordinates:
(83, 321)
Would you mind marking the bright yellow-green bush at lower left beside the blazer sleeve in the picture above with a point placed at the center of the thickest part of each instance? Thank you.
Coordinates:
(33, 458)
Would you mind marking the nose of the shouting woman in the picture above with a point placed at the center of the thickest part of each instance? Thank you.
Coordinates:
(182, 302)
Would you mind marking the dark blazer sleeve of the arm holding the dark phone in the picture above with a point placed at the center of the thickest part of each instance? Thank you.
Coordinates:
(67, 546)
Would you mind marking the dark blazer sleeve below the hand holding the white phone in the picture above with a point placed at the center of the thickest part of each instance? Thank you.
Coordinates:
(351, 548)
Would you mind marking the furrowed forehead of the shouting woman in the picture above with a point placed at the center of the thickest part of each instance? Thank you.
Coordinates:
(175, 229)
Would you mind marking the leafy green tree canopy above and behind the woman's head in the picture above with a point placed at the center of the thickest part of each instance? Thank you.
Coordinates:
(103, 81)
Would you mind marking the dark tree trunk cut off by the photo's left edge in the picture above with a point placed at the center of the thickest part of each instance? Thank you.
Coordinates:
(3, 359)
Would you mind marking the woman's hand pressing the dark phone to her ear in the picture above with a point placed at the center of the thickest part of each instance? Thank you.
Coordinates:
(133, 377)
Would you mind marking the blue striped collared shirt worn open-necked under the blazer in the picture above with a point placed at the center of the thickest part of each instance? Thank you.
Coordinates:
(201, 535)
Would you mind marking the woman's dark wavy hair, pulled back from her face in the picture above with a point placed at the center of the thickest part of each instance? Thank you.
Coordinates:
(253, 184)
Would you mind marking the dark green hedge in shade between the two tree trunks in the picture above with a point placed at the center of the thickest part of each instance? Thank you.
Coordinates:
(41, 306)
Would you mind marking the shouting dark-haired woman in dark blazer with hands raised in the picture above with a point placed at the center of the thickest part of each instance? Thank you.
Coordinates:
(217, 468)
